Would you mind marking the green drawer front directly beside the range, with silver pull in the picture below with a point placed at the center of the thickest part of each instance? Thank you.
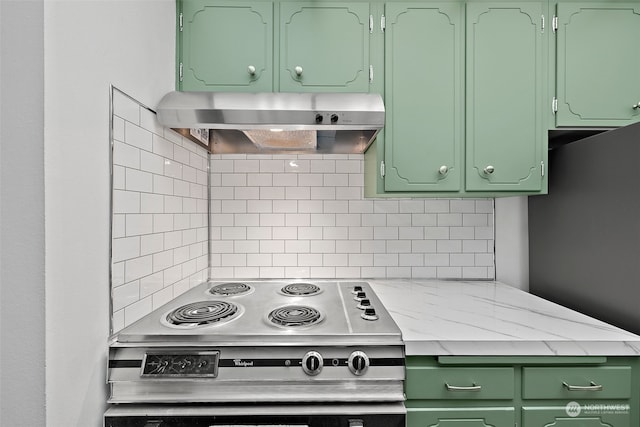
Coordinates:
(459, 383)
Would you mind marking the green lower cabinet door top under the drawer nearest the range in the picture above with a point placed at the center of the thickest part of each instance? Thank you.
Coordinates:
(461, 417)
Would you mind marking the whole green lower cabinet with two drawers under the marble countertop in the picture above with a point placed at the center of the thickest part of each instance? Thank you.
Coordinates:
(527, 391)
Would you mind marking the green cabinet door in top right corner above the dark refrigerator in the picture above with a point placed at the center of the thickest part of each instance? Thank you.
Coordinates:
(598, 83)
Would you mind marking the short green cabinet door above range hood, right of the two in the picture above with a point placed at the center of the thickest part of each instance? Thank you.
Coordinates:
(324, 46)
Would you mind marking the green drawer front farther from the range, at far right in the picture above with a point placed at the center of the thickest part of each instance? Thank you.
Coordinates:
(603, 382)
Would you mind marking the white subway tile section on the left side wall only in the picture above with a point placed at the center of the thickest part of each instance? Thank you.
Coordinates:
(159, 202)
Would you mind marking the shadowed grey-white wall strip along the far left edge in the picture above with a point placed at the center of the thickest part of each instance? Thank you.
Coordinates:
(22, 352)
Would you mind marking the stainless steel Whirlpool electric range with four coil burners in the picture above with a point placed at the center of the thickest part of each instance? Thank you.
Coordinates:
(260, 353)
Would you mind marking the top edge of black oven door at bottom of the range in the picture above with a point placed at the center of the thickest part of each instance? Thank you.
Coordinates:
(294, 415)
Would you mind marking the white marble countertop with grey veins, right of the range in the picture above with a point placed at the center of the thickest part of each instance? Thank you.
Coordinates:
(493, 319)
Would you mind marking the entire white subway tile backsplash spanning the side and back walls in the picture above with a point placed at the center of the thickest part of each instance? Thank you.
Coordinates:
(271, 216)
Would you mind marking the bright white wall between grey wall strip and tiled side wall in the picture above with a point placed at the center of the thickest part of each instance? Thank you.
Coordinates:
(89, 45)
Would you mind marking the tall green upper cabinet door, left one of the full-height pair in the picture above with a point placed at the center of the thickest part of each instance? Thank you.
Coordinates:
(423, 96)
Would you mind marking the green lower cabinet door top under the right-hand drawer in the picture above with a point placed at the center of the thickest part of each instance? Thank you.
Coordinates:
(578, 414)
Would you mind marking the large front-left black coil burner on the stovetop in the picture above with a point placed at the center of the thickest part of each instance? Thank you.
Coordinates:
(203, 313)
